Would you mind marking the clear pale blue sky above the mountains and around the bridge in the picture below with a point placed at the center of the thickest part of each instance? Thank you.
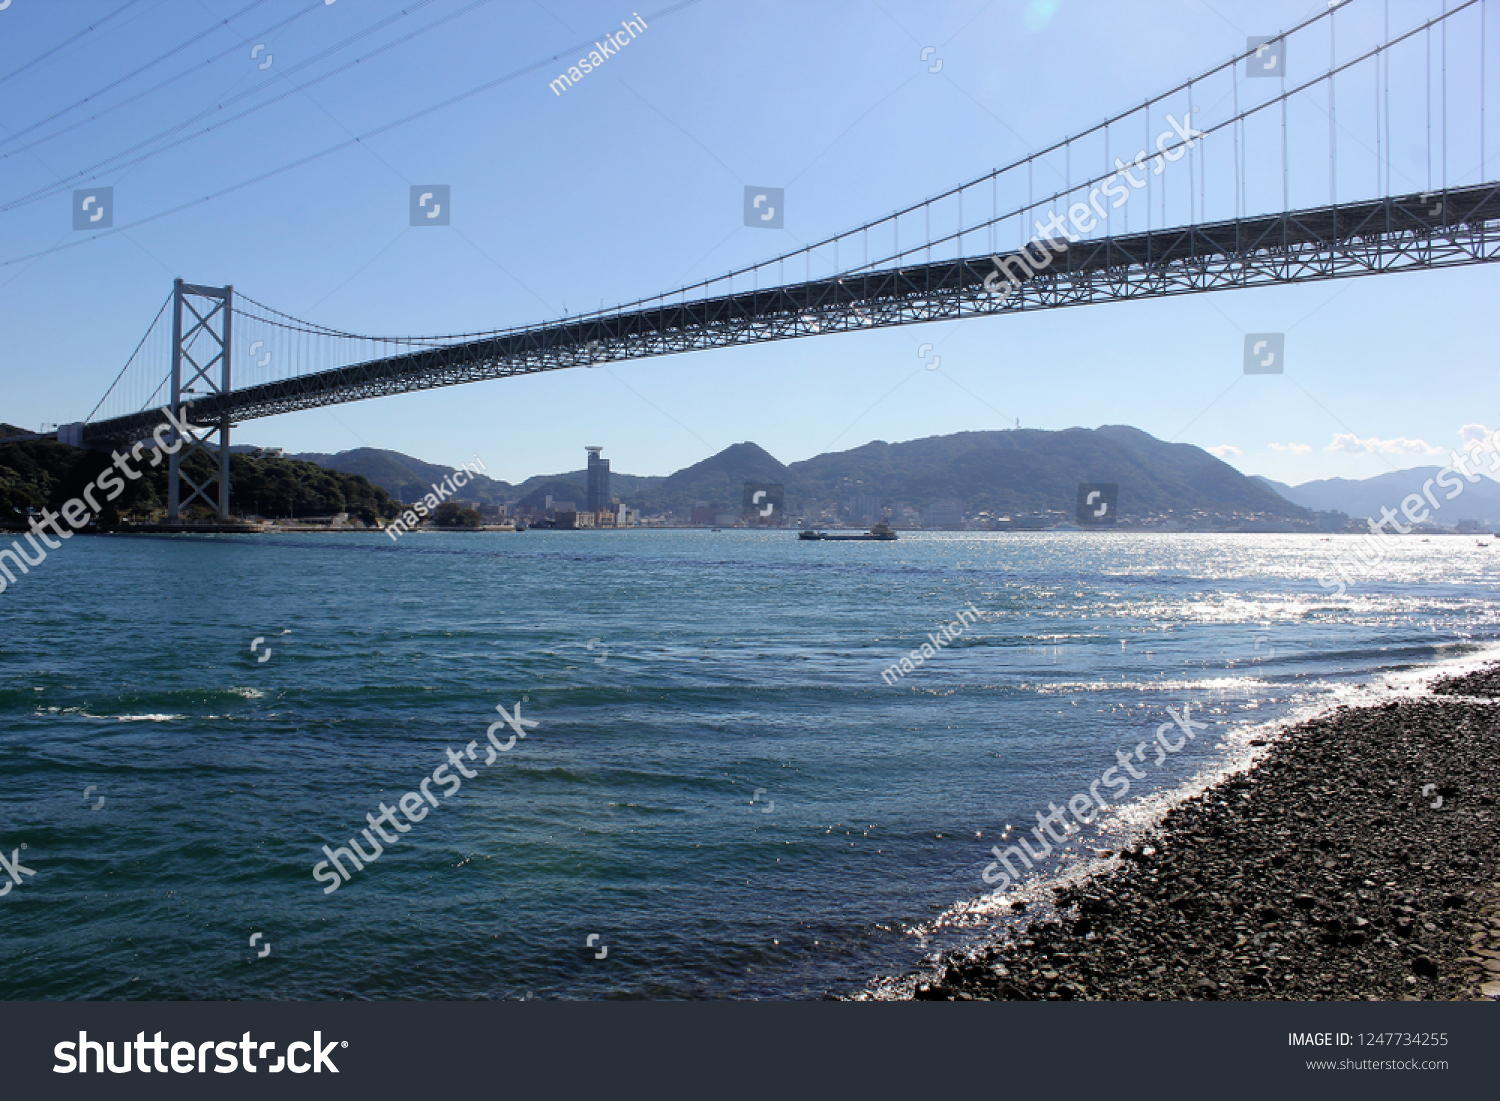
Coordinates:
(631, 184)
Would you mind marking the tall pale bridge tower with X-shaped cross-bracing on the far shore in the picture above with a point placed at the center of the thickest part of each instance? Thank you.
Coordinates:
(202, 344)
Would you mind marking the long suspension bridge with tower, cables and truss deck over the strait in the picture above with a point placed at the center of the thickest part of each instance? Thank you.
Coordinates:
(1223, 176)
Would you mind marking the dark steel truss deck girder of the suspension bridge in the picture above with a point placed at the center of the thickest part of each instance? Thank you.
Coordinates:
(1397, 235)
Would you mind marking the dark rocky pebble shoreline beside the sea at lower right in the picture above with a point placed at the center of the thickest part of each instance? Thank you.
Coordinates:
(1358, 860)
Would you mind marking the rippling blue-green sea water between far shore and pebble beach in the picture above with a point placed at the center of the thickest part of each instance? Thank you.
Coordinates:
(721, 796)
